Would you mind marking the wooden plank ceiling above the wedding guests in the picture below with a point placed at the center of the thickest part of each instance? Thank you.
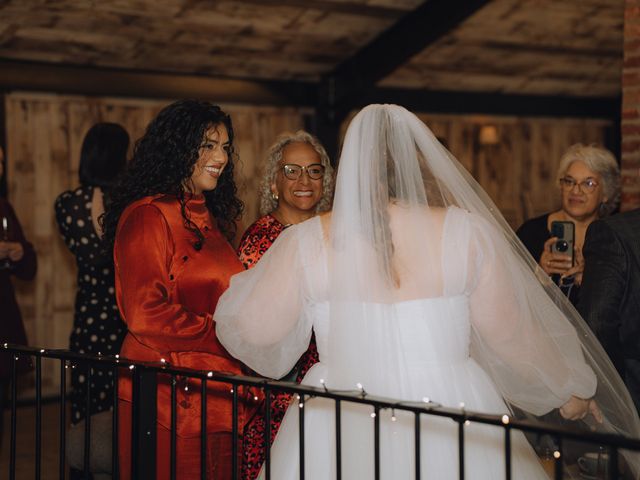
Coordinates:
(566, 48)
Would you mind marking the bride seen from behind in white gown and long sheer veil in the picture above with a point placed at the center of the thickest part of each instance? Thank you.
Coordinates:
(415, 287)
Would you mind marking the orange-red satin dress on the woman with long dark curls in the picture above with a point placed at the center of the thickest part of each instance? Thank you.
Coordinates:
(166, 292)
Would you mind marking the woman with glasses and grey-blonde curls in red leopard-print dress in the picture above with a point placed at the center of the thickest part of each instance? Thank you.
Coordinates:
(298, 183)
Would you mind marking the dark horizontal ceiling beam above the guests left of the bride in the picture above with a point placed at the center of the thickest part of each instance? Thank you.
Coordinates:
(85, 80)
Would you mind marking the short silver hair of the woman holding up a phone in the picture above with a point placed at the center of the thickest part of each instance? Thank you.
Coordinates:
(601, 161)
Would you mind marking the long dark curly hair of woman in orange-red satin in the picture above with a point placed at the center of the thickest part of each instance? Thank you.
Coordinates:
(165, 156)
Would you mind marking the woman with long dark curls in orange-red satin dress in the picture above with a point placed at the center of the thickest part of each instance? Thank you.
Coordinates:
(170, 221)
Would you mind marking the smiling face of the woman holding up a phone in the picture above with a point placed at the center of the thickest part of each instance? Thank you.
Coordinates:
(577, 203)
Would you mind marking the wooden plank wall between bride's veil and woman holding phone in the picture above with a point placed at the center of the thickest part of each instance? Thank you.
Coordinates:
(519, 172)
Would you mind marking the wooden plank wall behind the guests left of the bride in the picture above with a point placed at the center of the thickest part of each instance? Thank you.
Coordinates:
(44, 135)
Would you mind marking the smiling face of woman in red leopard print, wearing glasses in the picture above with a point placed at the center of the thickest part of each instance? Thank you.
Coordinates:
(297, 198)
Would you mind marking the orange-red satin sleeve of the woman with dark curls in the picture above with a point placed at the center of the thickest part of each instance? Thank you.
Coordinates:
(142, 255)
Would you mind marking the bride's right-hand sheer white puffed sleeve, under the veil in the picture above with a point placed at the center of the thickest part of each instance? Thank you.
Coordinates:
(524, 341)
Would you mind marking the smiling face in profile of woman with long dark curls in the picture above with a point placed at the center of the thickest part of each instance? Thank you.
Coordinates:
(214, 156)
